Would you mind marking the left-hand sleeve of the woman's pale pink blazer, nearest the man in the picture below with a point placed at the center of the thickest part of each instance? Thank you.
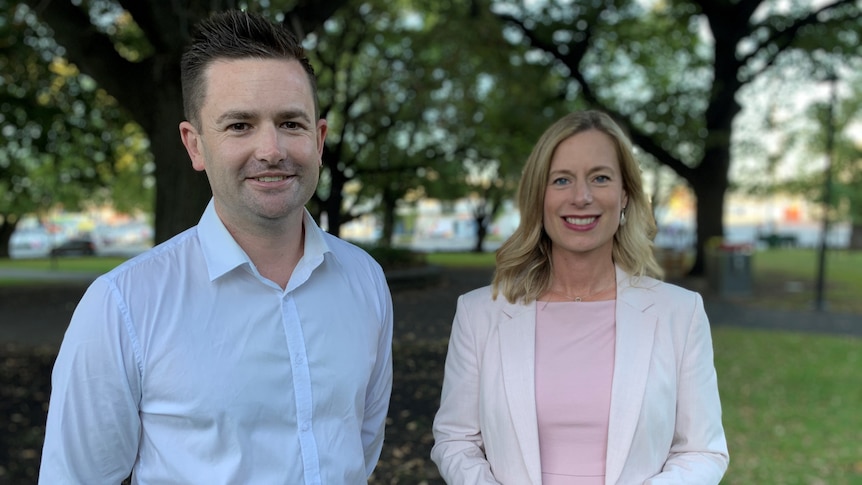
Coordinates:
(458, 450)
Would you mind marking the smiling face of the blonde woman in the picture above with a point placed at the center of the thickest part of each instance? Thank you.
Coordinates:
(584, 195)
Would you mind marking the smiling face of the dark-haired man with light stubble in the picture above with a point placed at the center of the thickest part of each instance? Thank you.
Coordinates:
(258, 141)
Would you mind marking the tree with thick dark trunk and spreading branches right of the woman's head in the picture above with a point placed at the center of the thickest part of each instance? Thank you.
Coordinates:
(672, 71)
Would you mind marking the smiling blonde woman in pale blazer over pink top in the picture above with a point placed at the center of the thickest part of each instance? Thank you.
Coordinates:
(577, 366)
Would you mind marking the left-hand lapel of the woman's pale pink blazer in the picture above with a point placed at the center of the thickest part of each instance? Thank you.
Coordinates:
(517, 357)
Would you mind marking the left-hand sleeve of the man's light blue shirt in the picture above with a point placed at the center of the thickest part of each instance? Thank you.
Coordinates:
(93, 428)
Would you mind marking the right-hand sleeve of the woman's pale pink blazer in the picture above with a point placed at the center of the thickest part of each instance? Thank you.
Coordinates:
(698, 453)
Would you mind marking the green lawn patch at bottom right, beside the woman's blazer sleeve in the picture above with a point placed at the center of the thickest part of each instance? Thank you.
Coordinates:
(790, 406)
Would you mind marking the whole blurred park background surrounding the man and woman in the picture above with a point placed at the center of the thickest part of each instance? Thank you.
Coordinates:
(746, 116)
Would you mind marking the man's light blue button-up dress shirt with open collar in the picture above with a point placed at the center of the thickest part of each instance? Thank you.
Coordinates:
(185, 365)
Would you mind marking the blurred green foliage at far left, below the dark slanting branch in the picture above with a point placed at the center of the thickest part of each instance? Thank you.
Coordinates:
(67, 142)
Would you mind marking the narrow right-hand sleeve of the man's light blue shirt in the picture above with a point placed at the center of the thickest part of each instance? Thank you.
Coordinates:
(379, 388)
